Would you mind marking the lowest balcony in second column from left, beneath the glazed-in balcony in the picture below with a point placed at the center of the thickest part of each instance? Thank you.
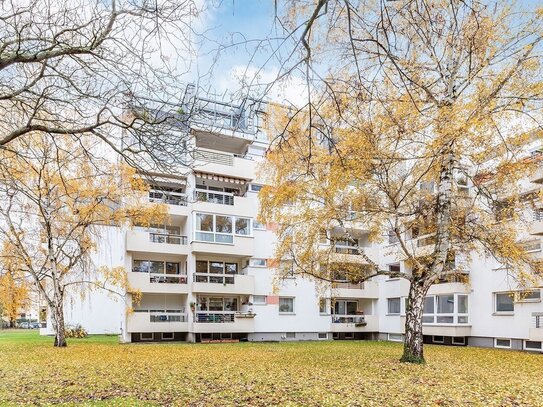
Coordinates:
(223, 321)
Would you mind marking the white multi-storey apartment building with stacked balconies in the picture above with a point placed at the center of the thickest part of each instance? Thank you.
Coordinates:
(207, 276)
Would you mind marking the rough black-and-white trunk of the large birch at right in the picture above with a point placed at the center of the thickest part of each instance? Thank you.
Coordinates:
(413, 351)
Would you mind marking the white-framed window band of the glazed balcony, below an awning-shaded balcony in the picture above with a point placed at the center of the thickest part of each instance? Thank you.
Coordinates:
(220, 228)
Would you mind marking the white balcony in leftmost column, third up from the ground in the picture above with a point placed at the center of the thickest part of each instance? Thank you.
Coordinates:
(152, 242)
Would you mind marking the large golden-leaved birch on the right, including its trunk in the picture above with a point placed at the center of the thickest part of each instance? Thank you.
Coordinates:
(416, 125)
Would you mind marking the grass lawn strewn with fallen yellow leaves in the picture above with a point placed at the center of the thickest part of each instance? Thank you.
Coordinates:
(99, 371)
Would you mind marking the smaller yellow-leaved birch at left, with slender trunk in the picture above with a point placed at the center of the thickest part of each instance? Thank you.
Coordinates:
(57, 200)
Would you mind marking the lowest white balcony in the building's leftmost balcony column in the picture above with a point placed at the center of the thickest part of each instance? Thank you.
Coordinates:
(157, 321)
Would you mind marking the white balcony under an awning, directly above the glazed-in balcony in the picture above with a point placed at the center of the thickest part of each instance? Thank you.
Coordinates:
(223, 203)
